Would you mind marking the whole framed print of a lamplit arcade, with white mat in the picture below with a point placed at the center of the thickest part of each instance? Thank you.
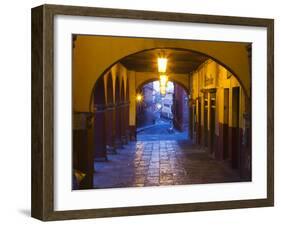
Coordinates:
(141, 112)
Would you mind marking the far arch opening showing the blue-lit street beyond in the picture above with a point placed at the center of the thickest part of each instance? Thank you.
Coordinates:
(162, 117)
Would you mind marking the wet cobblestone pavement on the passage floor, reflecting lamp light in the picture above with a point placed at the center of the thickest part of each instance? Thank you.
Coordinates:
(154, 163)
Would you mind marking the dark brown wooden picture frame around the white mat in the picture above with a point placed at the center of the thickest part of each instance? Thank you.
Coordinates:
(43, 109)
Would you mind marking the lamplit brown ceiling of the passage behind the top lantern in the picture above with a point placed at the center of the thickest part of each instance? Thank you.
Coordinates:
(179, 61)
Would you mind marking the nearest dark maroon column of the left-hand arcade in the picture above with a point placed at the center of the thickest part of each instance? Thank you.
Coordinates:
(99, 133)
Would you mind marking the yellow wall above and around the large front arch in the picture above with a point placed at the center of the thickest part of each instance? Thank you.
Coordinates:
(93, 55)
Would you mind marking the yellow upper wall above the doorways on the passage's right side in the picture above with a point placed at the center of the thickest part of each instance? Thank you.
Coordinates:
(212, 75)
